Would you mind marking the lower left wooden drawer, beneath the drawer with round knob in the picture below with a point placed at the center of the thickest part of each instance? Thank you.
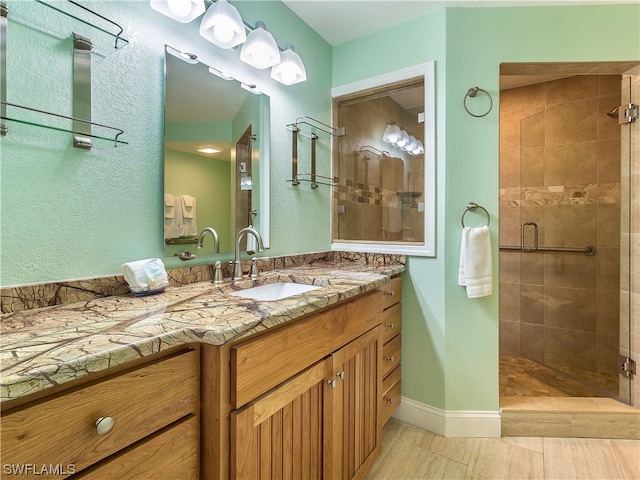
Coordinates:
(171, 453)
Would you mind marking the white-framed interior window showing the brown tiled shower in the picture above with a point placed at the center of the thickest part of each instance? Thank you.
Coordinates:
(384, 199)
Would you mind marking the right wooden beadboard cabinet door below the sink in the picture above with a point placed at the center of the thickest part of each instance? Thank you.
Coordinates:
(355, 430)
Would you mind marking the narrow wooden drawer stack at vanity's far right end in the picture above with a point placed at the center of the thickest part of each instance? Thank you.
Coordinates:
(392, 349)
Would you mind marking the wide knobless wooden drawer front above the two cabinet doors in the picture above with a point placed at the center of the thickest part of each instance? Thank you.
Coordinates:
(260, 364)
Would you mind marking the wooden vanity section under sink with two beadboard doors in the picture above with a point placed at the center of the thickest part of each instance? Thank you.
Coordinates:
(304, 398)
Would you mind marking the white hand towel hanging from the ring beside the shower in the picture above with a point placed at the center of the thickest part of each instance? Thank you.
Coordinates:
(476, 271)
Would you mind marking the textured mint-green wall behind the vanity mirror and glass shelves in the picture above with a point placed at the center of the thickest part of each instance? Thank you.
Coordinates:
(68, 213)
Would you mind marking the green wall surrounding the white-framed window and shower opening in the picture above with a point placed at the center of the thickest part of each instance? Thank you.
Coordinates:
(450, 343)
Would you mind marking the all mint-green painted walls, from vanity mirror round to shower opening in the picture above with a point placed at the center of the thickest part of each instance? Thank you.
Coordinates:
(67, 213)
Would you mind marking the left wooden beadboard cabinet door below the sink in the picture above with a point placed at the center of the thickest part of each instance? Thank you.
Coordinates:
(280, 435)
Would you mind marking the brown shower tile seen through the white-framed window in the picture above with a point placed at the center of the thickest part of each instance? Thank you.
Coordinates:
(375, 193)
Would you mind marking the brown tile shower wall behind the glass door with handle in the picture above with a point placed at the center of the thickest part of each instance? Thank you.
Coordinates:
(560, 168)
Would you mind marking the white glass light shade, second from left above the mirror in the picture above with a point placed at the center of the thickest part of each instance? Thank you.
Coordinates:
(222, 25)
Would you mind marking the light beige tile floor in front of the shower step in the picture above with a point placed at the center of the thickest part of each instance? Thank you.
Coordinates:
(412, 453)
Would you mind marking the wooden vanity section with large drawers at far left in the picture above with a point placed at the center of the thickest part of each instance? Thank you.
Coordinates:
(59, 433)
